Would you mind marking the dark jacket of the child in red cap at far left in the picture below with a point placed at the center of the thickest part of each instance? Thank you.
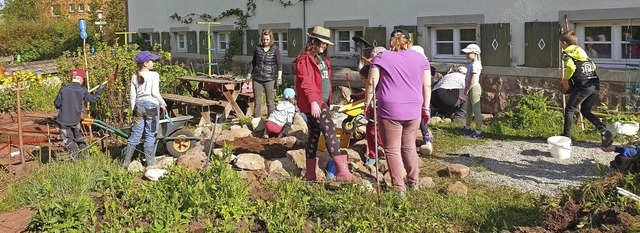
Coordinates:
(69, 102)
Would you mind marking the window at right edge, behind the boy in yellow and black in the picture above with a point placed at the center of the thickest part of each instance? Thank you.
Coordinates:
(611, 43)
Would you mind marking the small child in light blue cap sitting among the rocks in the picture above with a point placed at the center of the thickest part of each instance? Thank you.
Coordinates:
(280, 120)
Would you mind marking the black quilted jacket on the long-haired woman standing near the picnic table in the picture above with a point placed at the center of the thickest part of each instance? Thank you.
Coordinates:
(265, 65)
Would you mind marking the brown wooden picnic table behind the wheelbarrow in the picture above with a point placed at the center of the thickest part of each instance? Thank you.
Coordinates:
(224, 89)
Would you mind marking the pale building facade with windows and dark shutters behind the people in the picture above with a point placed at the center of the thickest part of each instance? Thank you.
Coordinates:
(519, 38)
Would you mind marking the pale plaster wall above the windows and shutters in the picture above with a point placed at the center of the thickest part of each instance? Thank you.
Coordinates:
(155, 13)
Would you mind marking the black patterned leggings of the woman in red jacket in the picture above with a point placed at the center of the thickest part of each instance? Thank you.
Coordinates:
(325, 125)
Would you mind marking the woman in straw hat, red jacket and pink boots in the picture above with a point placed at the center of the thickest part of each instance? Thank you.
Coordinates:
(313, 85)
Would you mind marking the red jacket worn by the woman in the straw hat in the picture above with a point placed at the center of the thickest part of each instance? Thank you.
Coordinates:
(309, 82)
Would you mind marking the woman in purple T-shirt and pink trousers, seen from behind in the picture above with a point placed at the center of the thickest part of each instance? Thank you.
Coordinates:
(402, 80)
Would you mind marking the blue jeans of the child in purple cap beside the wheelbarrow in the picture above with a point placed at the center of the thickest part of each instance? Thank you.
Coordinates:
(145, 120)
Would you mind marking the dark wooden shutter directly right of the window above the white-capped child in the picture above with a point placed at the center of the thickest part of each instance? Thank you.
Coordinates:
(495, 44)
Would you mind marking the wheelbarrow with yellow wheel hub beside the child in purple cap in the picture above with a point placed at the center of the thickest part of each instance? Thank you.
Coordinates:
(171, 134)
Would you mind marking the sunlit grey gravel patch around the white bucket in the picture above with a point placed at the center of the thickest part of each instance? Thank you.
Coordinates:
(528, 165)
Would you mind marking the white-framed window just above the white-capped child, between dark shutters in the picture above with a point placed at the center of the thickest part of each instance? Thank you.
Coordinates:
(448, 42)
